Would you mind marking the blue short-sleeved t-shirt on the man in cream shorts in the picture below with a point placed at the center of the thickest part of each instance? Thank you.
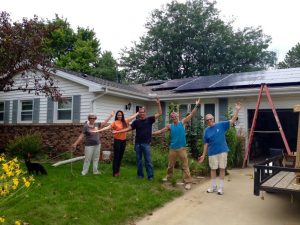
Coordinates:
(214, 136)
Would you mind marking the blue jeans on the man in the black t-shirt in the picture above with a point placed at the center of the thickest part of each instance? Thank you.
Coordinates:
(140, 150)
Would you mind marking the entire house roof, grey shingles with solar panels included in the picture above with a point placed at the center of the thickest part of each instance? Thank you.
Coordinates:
(236, 84)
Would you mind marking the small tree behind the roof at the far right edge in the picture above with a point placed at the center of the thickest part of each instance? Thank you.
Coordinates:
(292, 58)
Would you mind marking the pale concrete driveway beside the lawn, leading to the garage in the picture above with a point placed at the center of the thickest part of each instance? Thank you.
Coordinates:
(238, 206)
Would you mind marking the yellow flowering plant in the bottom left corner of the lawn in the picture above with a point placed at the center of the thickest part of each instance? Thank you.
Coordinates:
(12, 181)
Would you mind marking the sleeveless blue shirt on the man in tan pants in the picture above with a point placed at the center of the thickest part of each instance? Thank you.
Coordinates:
(177, 132)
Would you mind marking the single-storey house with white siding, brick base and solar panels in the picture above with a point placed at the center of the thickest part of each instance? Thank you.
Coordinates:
(20, 111)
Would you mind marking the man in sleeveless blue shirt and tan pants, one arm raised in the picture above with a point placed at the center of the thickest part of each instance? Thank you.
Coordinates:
(178, 145)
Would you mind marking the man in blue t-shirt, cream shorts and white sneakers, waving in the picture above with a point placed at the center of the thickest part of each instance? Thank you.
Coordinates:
(215, 144)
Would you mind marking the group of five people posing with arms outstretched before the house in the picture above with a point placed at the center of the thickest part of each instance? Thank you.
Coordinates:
(214, 143)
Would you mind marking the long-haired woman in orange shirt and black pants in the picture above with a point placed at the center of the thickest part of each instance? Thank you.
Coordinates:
(119, 139)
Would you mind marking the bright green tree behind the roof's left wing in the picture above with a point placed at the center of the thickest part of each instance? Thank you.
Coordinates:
(79, 51)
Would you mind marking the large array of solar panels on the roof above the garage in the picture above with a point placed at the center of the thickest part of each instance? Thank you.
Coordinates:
(239, 80)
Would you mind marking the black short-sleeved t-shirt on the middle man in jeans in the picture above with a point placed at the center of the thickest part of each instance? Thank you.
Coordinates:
(143, 130)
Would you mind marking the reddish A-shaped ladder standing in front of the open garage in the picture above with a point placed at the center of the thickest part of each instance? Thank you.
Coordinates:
(265, 88)
